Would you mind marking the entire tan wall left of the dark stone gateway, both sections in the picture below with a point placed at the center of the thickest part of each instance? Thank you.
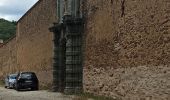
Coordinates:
(32, 48)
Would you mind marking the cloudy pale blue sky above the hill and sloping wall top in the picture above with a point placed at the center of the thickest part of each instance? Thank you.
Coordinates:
(14, 9)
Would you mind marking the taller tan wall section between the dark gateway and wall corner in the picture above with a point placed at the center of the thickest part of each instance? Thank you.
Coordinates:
(34, 41)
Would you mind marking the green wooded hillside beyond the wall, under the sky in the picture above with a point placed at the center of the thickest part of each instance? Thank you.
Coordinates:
(7, 29)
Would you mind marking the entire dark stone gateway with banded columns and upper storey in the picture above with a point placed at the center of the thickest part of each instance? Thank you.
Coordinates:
(67, 67)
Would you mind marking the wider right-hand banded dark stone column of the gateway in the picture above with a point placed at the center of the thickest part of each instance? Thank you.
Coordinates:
(74, 69)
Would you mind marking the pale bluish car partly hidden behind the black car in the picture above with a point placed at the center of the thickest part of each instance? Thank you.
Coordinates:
(10, 80)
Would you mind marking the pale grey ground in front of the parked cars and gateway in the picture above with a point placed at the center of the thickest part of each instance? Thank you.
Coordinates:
(10, 94)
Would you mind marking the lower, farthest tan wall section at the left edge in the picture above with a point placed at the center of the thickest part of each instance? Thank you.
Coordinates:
(8, 58)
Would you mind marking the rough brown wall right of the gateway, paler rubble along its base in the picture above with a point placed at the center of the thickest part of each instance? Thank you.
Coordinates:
(127, 49)
